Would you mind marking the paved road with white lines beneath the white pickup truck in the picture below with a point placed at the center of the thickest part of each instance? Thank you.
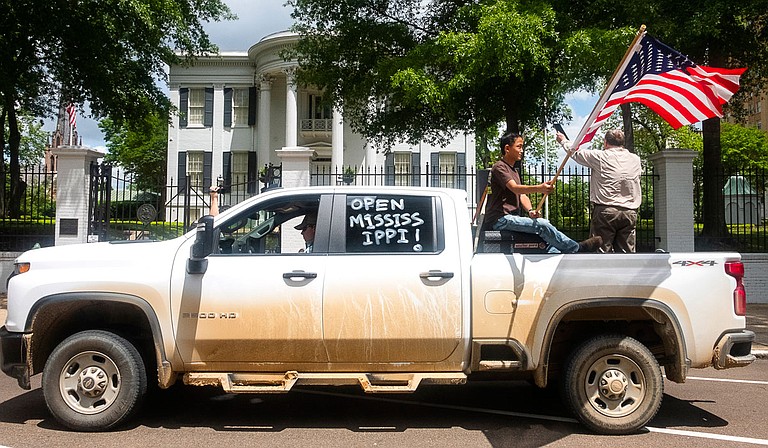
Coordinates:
(713, 409)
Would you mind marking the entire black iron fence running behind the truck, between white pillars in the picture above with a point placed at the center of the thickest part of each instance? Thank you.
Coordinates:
(122, 210)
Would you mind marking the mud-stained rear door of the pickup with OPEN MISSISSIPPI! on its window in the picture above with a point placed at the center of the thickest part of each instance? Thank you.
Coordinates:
(393, 285)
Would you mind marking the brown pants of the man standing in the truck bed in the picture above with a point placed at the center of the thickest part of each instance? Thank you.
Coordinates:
(616, 225)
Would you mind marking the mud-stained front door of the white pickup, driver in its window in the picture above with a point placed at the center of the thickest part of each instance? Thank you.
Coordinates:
(260, 299)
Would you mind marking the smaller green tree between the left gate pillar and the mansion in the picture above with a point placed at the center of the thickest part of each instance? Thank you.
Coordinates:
(139, 146)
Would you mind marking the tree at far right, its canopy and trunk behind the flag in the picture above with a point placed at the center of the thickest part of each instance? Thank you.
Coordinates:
(717, 33)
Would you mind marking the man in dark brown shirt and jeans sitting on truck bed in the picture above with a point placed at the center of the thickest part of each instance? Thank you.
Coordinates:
(507, 195)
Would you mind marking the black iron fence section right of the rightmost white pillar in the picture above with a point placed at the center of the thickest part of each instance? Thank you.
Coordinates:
(744, 197)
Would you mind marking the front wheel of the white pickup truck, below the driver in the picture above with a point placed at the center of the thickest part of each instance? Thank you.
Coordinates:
(93, 381)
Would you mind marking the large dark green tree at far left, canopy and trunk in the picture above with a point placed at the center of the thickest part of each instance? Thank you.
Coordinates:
(107, 52)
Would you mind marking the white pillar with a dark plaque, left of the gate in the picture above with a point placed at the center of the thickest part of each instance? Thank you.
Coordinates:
(73, 182)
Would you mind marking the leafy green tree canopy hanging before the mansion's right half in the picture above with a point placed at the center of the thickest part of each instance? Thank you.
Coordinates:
(404, 70)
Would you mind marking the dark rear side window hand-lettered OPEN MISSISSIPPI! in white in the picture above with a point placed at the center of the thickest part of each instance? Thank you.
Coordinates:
(386, 223)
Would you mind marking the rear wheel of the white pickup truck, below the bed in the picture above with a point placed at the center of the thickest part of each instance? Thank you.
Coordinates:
(613, 384)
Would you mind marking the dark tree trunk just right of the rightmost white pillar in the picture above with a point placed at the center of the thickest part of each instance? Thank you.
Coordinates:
(713, 204)
